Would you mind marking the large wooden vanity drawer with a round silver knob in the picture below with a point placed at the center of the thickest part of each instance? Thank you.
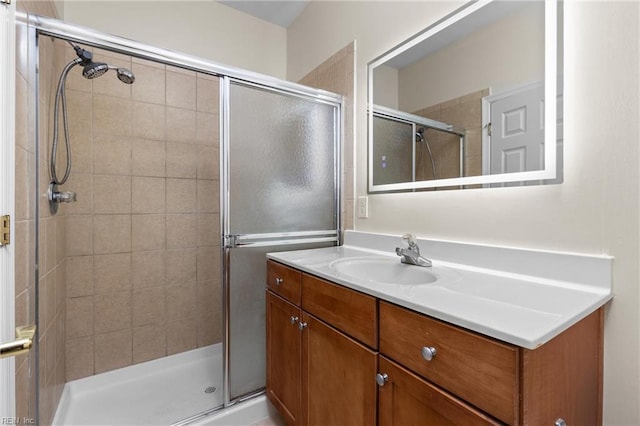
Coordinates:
(479, 370)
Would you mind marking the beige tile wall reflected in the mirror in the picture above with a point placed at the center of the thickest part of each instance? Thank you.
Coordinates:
(465, 112)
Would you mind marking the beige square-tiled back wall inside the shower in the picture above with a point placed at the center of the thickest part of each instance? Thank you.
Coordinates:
(143, 240)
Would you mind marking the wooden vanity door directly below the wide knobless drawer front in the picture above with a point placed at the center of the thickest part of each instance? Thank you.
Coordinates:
(338, 377)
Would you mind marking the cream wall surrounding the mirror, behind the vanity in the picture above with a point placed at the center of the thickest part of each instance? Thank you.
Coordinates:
(596, 210)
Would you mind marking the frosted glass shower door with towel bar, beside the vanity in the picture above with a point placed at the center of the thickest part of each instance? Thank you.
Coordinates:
(281, 166)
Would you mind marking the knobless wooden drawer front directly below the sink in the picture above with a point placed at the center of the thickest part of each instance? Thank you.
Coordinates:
(349, 311)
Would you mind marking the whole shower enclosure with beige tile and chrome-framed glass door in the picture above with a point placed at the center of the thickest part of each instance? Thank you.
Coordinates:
(184, 180)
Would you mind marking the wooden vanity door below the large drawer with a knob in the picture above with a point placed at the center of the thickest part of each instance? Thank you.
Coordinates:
(408, 400)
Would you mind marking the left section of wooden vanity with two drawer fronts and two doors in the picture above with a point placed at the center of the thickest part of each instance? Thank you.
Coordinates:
(318, 372)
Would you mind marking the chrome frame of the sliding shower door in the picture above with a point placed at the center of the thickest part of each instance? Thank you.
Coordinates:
(38, 25)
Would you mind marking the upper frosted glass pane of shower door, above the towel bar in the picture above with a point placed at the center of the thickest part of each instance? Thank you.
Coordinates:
(282, 168)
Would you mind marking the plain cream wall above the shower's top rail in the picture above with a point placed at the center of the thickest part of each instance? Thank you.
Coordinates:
(206, 29)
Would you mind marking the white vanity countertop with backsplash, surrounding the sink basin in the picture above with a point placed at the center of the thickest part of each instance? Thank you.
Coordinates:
(521, 309)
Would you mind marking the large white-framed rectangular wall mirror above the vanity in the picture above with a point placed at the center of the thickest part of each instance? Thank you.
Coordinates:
(462, 103)
